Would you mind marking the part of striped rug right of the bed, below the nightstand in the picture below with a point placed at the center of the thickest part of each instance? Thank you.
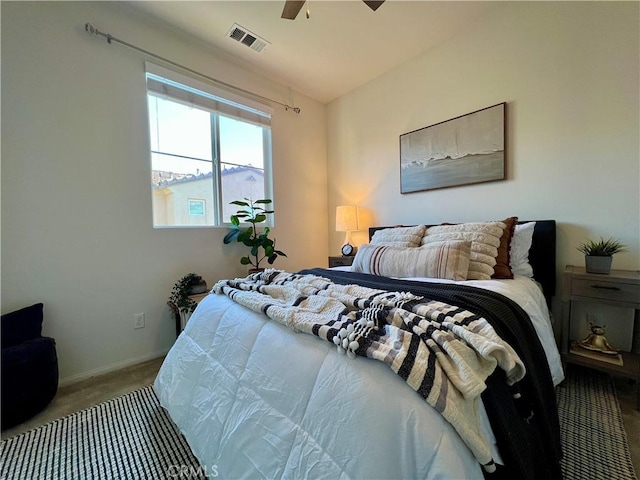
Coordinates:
(593, 437)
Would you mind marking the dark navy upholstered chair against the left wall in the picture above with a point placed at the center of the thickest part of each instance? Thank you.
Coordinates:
(29, 366)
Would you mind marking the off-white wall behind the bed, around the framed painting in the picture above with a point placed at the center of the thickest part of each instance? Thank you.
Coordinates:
(569, 72)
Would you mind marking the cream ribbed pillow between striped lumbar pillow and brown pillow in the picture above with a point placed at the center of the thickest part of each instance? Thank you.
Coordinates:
(484, 238)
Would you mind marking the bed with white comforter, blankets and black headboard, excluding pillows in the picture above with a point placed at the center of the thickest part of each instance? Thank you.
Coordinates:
(260, 396)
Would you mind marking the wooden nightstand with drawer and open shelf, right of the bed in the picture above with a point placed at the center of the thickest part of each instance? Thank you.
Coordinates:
(620, 288)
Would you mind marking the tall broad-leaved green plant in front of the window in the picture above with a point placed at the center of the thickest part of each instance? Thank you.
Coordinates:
(261, 246)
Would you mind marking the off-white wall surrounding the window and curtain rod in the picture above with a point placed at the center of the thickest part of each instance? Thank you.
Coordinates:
(76, 200)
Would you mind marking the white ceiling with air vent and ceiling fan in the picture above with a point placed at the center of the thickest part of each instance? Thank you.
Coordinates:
(343, 44)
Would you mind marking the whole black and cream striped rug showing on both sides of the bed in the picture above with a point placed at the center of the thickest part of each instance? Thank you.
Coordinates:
(131, 437)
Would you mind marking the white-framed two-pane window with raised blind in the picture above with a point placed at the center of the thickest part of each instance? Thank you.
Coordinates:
(208, 148)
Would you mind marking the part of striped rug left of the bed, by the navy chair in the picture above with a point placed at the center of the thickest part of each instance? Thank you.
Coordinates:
(129, 437)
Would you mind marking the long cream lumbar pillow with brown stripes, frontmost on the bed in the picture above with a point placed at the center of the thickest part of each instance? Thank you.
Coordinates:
(448, 260)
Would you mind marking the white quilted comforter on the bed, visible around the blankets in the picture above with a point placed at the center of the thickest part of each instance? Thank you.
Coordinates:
(256, 400)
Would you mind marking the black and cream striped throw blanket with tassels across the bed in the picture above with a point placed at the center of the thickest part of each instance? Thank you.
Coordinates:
(443, 352)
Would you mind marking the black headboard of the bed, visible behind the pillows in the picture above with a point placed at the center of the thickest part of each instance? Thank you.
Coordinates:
(542, 254)
